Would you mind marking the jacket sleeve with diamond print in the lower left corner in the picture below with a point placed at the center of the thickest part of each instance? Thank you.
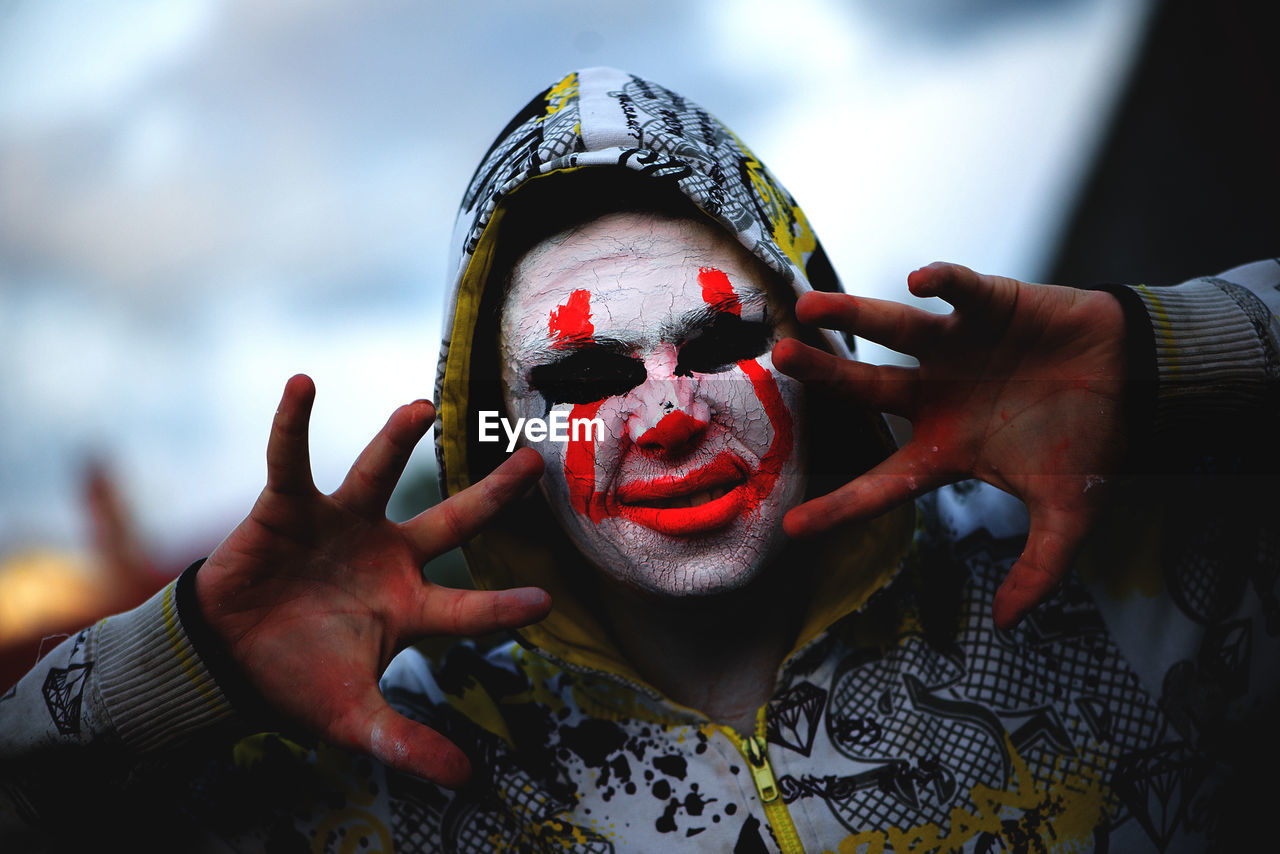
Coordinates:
(113, 696)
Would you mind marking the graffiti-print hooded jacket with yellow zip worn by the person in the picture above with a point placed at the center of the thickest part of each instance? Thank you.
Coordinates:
(1131, 713)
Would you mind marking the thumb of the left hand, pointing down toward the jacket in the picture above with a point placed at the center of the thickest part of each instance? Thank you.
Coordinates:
(404, 745)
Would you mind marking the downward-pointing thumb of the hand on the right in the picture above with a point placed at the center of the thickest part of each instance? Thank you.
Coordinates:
(1052, 544)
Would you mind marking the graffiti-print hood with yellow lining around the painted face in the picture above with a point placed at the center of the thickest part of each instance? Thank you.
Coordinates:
(607, 121)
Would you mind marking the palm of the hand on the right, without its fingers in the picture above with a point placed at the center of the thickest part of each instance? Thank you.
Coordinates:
(1046, 382)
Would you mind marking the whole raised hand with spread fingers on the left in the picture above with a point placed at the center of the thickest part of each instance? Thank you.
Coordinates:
(314, 595)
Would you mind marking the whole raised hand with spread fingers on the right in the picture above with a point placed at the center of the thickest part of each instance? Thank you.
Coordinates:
(1021, 386)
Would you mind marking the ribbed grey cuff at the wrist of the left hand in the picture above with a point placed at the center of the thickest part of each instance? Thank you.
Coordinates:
(157, 691)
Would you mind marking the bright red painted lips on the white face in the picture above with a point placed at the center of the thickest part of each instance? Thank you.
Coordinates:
(706, 499)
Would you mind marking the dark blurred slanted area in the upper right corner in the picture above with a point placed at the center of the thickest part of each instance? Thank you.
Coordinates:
(1187, 180)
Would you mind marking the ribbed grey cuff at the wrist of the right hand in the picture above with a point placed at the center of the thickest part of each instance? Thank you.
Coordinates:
(1210, 360)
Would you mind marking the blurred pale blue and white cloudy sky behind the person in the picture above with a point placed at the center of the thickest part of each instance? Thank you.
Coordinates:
(200, 198)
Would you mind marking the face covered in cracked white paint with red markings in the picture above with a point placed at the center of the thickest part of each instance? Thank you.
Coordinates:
(661, 328)
